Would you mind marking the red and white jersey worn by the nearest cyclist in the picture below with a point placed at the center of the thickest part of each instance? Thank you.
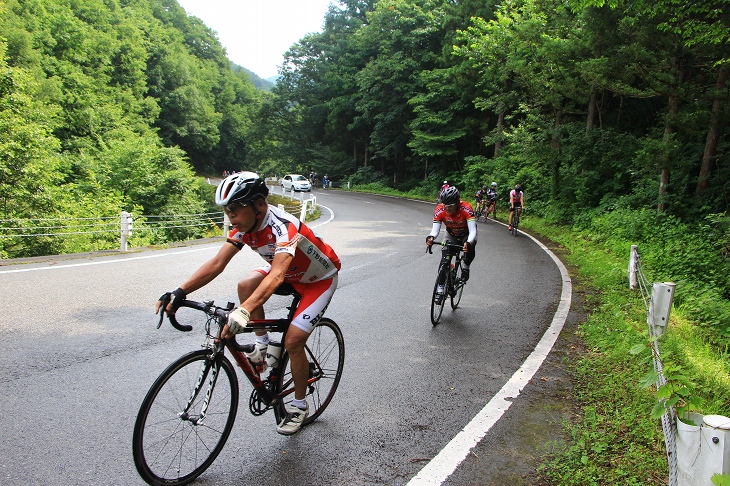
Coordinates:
(314, 260)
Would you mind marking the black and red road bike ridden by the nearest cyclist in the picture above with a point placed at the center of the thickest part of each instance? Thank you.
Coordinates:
(188, 413)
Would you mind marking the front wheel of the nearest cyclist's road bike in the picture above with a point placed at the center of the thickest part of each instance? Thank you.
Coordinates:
(185, 419)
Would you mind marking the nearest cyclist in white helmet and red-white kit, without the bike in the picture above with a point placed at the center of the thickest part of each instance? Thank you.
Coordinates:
(294, 255)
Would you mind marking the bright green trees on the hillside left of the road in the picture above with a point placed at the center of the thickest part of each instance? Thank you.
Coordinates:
(103, 106)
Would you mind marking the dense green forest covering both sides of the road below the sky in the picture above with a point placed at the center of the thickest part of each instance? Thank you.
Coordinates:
(613, 115)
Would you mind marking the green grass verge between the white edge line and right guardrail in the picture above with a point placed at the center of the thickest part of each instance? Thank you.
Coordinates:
(612, 439)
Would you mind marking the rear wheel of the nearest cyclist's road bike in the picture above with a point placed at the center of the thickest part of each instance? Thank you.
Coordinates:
(325, 350)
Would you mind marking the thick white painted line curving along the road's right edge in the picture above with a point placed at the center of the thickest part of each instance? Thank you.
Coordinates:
(446, 461)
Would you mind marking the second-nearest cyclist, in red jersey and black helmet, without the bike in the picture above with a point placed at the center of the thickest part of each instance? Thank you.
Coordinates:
(461, 226)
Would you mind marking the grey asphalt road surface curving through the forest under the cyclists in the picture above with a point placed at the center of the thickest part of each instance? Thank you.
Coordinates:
(80, 350)
